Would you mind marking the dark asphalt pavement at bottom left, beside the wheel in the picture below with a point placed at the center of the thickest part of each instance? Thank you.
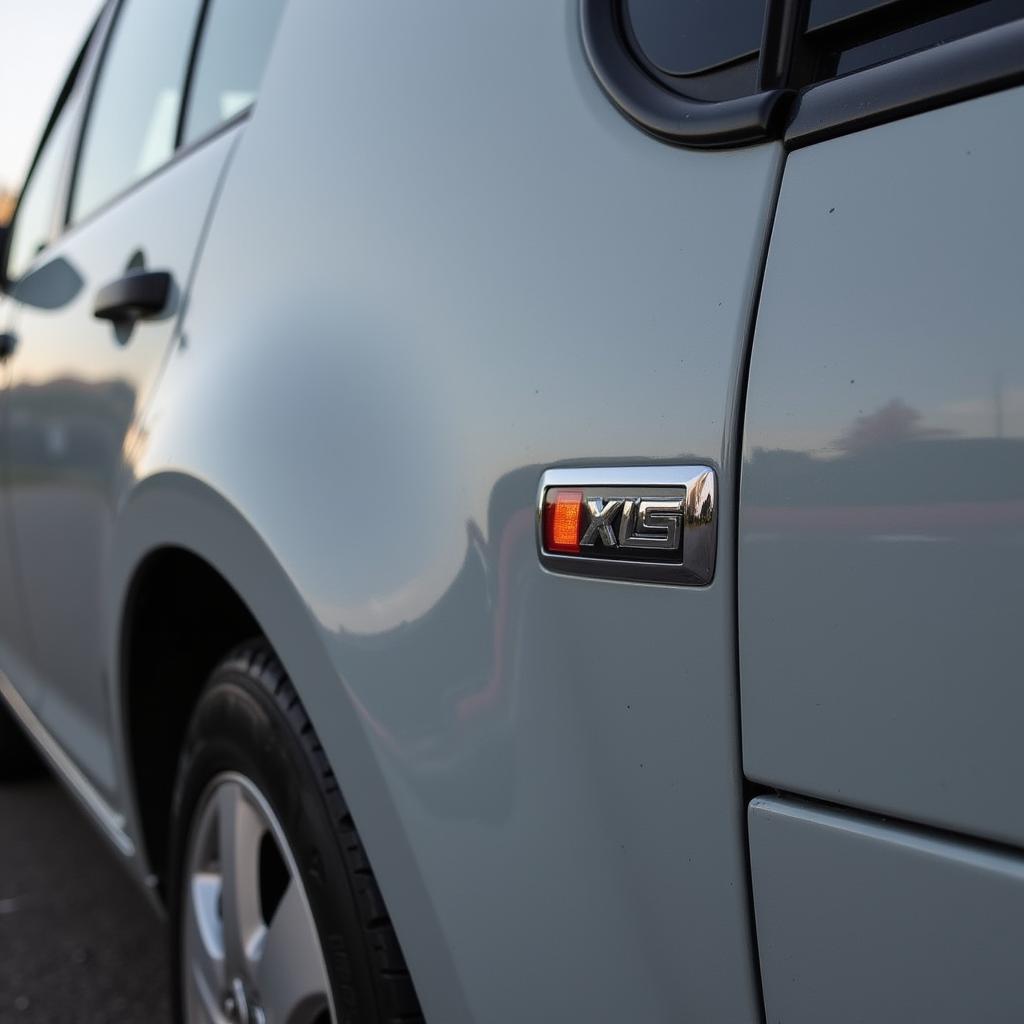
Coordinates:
(79, 943)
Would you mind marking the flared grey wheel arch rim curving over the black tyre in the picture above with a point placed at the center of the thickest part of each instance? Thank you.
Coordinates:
(175, 518)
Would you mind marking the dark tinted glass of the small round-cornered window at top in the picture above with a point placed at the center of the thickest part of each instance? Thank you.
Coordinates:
(686, 38)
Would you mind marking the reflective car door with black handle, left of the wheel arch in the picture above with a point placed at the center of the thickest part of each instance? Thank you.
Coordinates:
(96, 314)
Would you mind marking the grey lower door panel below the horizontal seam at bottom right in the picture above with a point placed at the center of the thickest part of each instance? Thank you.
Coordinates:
(862, 921)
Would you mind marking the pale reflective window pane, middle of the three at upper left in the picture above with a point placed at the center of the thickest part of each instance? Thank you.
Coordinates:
(134, 118)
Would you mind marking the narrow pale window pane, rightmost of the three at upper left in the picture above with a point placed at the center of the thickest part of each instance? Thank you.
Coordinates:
(234, 49)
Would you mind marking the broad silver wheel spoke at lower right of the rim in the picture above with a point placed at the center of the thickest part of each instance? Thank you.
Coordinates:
(290, 975)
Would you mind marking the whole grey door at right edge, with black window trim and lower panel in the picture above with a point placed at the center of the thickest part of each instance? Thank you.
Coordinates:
(882, 532)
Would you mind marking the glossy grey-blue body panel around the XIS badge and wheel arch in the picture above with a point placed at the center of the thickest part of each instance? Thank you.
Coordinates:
(416, 296)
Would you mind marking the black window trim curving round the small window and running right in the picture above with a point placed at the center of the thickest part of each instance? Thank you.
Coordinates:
(975, 65)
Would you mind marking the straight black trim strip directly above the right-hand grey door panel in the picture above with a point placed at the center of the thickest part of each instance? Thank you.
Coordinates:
(960, 70)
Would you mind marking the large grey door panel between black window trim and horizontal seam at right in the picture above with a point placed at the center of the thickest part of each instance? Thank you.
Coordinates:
(882, 529)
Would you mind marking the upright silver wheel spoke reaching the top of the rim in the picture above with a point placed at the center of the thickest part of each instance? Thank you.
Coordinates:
(240, 832)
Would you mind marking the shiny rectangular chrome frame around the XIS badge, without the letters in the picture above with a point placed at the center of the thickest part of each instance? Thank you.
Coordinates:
(700, 539)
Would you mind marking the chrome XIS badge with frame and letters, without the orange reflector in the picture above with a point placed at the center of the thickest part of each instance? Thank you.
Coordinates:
(621, 515)
